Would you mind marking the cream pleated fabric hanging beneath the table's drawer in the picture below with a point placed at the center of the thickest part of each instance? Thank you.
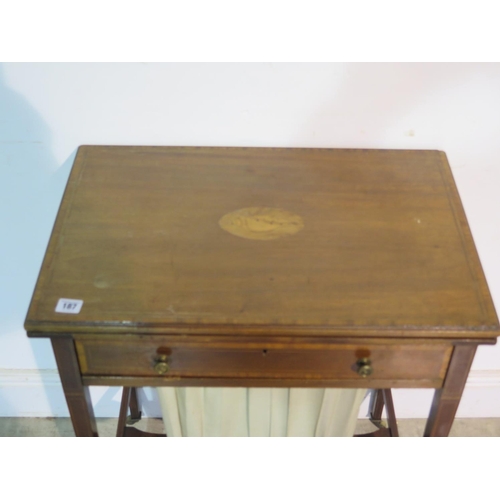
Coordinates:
(232, 412)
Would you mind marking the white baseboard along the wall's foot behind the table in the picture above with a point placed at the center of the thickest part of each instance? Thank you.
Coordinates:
(34, 393)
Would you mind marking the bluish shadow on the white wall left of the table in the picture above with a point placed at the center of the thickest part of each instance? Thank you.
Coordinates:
(31, 186)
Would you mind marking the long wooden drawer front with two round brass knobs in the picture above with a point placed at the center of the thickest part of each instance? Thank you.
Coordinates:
(168, 358)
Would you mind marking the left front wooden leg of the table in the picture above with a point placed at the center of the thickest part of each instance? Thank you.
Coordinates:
(77, 395)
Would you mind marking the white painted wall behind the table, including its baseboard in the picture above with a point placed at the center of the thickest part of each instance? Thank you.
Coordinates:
(48, 110)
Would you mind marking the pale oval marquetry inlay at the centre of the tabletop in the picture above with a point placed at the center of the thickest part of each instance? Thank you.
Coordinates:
(261, 223)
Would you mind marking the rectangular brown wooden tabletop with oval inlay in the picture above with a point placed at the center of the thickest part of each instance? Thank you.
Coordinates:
(296, 241)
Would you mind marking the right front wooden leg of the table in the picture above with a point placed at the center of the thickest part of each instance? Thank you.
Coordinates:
(446, 400)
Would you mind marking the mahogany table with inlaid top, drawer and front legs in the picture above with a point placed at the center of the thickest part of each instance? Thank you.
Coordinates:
(257, 267)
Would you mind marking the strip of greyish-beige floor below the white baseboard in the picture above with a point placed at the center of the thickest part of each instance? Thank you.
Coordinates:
(61, 427)
